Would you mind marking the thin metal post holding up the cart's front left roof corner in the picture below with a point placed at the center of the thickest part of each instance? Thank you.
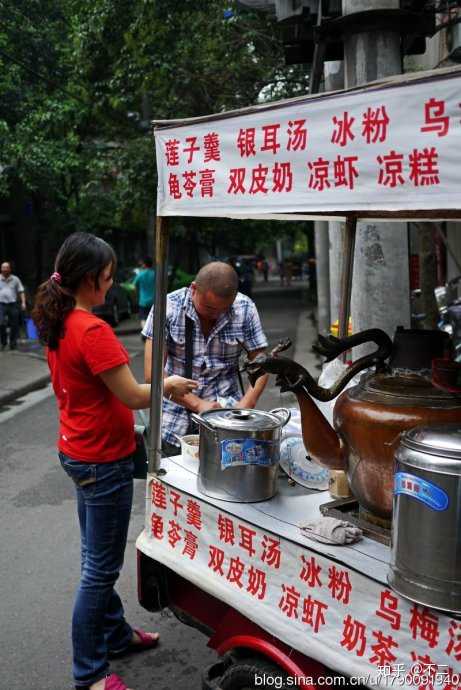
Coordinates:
(158, 344)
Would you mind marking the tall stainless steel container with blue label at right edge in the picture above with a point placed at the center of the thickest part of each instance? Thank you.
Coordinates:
(426, 525)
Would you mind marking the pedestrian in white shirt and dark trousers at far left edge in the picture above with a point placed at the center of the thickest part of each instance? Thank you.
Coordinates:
(11, 293)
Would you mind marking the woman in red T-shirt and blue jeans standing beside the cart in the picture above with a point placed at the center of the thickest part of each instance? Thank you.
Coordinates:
(96, 393)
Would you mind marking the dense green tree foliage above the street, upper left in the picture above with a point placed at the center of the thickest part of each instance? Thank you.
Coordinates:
(80, 81)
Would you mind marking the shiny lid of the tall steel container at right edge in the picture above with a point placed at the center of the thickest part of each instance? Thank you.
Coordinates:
(440, 444)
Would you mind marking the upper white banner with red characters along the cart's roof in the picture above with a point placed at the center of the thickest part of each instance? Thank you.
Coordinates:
(393, 148)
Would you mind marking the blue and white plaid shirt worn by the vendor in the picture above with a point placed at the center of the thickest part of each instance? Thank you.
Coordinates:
(215, 360)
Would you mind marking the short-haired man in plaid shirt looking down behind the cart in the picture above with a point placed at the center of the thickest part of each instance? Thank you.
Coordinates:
(221, 316)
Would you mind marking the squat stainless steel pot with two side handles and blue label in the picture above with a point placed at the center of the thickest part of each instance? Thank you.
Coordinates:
(239, 453)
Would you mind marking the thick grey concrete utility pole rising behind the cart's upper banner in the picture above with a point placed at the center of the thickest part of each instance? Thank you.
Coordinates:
(380, 292)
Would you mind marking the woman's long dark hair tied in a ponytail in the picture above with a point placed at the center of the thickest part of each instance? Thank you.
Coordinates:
(81, 255)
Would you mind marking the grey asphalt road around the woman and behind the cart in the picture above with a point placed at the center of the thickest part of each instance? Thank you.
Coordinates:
(39, 551)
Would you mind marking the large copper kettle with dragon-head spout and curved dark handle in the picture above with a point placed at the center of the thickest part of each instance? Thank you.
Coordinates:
(369, 417)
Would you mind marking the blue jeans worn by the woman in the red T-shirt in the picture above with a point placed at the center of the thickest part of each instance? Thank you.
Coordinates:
(104, 499)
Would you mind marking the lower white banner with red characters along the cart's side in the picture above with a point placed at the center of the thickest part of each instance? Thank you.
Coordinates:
(320, 607)
